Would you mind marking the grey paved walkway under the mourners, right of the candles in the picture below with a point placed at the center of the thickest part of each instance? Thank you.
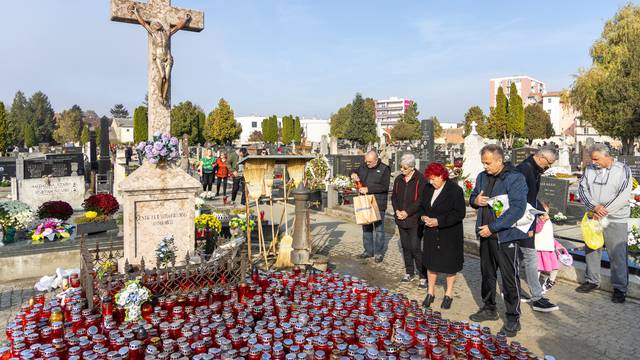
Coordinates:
(587, 326)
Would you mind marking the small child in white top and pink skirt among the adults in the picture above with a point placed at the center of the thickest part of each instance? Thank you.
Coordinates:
(547, 258)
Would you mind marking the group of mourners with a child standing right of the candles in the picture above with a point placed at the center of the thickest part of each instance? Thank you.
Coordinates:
(429, 209)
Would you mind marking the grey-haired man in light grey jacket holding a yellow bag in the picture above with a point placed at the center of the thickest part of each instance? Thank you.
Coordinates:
(605, 189)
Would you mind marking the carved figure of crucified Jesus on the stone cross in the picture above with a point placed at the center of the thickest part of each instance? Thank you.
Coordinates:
(161, 52)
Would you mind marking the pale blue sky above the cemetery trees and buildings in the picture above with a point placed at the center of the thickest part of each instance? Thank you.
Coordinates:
(306, 58)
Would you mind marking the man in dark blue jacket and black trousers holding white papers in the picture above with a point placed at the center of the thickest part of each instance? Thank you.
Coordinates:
(499, 239)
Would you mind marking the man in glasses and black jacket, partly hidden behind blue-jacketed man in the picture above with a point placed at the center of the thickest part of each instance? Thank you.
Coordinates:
(532, 169)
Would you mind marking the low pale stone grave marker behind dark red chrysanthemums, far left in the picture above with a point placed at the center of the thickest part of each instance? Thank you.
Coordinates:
(36, 191)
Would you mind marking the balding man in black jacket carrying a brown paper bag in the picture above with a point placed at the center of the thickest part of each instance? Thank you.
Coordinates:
(376, 177)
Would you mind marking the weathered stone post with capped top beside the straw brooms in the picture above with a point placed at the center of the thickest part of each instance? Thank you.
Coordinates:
(301, 249)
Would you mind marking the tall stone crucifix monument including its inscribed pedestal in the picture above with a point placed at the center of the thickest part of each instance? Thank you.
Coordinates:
(158, 200)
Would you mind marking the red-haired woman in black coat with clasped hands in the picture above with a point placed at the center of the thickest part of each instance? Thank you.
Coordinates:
(444, 210)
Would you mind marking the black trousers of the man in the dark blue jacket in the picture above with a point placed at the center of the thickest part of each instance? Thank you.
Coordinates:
(504, 256)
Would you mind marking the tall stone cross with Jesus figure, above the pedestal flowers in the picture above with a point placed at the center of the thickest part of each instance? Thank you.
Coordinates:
(161, 21)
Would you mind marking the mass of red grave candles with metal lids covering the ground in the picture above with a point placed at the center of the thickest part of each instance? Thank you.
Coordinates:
(272, 315)
